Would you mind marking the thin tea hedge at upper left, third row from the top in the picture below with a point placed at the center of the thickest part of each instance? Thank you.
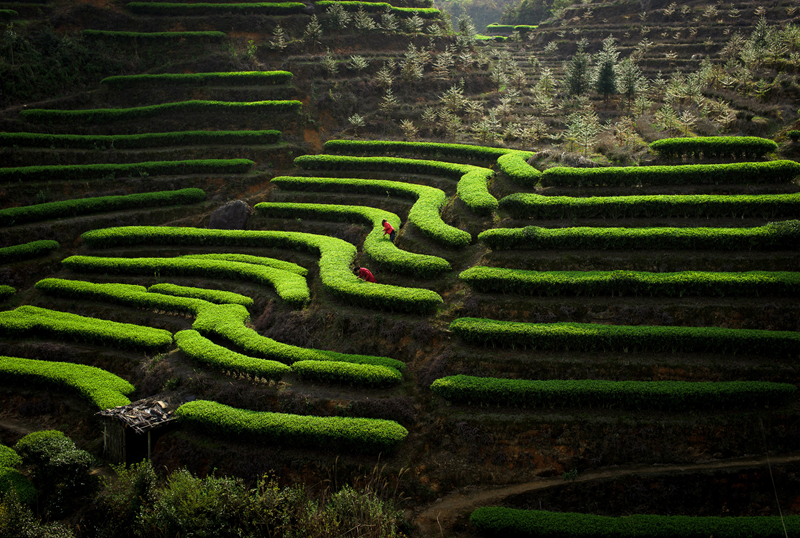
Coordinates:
(236, 78)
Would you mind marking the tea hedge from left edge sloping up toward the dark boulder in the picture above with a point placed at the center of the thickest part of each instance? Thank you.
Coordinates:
(100, 204)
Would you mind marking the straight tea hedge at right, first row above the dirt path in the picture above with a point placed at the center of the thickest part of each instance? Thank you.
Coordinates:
(662, 395)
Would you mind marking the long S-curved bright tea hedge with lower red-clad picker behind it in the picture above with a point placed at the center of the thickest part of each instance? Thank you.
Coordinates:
(336, 256)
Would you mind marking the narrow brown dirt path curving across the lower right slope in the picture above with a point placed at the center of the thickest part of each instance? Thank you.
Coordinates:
(443, 514)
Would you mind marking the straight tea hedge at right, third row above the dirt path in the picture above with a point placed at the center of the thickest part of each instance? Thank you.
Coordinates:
(592, 283)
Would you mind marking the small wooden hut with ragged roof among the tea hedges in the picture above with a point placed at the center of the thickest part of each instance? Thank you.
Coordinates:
(131, 431)
